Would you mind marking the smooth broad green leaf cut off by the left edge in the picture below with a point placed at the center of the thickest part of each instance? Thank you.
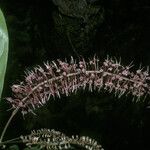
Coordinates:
(3, 50)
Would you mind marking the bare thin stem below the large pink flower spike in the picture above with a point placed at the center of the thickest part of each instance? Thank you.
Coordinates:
(8, 122)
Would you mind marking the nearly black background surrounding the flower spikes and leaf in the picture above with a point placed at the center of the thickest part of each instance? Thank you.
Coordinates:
(123, 31)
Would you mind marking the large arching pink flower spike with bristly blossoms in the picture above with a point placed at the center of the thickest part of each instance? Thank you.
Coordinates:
(60, 77)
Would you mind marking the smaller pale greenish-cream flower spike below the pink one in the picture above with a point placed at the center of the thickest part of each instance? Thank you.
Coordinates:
(51, 139)
